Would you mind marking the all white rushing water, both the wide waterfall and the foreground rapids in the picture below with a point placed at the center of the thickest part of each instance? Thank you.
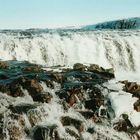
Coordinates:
(108, 48)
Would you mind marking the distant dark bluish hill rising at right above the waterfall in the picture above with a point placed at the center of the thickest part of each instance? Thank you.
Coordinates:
(131, 23)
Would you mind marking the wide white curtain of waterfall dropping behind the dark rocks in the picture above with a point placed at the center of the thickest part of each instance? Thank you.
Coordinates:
(117, 49)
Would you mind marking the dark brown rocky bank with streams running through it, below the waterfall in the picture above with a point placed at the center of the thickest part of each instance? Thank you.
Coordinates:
(58, 103)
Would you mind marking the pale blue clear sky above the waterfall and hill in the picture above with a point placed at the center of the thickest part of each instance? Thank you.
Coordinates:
(21, 14)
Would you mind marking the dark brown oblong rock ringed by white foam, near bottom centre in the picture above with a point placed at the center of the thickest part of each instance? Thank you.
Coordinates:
(68, 121)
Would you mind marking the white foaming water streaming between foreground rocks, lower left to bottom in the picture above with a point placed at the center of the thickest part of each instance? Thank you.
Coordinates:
(50, 114)
